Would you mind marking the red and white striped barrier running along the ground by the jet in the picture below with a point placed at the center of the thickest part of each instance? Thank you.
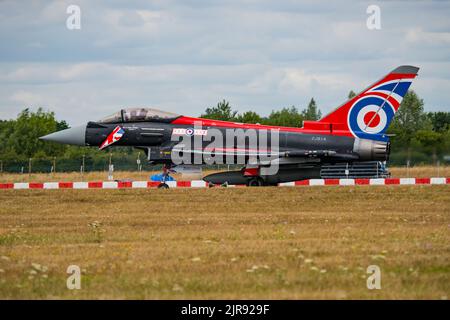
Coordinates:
(203, 184)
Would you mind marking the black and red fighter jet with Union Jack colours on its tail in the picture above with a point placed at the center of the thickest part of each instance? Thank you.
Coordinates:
(353, 132)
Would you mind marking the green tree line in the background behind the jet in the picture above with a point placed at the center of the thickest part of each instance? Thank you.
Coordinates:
(417, 136)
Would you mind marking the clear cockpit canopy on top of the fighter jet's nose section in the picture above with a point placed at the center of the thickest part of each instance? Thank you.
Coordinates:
(139, 114)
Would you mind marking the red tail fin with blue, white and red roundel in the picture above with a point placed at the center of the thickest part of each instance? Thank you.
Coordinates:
(368, 114)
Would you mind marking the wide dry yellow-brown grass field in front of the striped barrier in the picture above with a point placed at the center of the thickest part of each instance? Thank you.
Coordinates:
(277, 243)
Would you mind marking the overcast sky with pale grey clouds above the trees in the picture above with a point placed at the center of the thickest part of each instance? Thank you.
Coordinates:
(183, 56)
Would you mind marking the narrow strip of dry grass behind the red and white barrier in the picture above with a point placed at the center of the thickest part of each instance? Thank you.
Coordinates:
(398, 172)
